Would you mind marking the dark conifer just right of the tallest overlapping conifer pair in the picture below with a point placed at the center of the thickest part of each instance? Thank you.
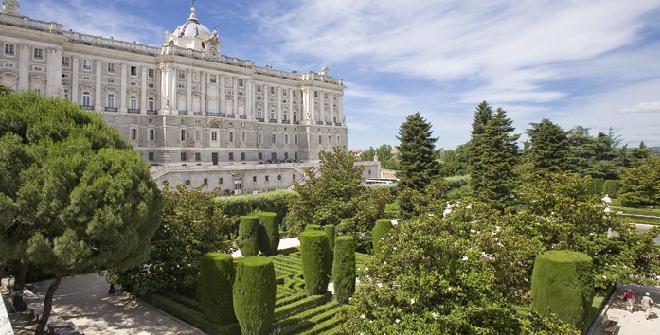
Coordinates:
(549, 146)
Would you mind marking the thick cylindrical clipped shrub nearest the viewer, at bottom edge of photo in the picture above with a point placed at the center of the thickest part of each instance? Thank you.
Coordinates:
(254, 294)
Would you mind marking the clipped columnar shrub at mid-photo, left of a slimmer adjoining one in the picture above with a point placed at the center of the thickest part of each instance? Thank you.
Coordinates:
(316, 258)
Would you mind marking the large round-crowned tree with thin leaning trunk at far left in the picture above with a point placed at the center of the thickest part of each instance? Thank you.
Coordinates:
(86, 202)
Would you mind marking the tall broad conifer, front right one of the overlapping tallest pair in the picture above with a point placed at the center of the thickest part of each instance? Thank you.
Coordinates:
(498, 158)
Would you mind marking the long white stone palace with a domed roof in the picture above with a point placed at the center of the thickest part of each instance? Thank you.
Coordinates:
(200, 117)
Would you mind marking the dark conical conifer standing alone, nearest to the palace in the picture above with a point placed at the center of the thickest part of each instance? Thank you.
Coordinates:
(417, 153)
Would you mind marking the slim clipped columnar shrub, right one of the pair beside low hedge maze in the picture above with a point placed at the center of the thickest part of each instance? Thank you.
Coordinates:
(343, 268)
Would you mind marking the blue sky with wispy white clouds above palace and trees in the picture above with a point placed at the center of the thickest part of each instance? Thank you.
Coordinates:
(589, 63)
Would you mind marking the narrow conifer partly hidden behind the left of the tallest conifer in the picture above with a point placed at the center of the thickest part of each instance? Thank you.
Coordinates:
(482, 115)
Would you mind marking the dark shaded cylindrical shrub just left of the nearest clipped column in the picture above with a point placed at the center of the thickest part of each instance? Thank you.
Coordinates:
(215, 280)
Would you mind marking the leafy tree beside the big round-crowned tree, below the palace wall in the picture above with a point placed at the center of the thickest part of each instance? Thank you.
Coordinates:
(192, 225)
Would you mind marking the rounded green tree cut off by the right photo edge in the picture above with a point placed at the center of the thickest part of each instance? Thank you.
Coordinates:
(640, 186)
